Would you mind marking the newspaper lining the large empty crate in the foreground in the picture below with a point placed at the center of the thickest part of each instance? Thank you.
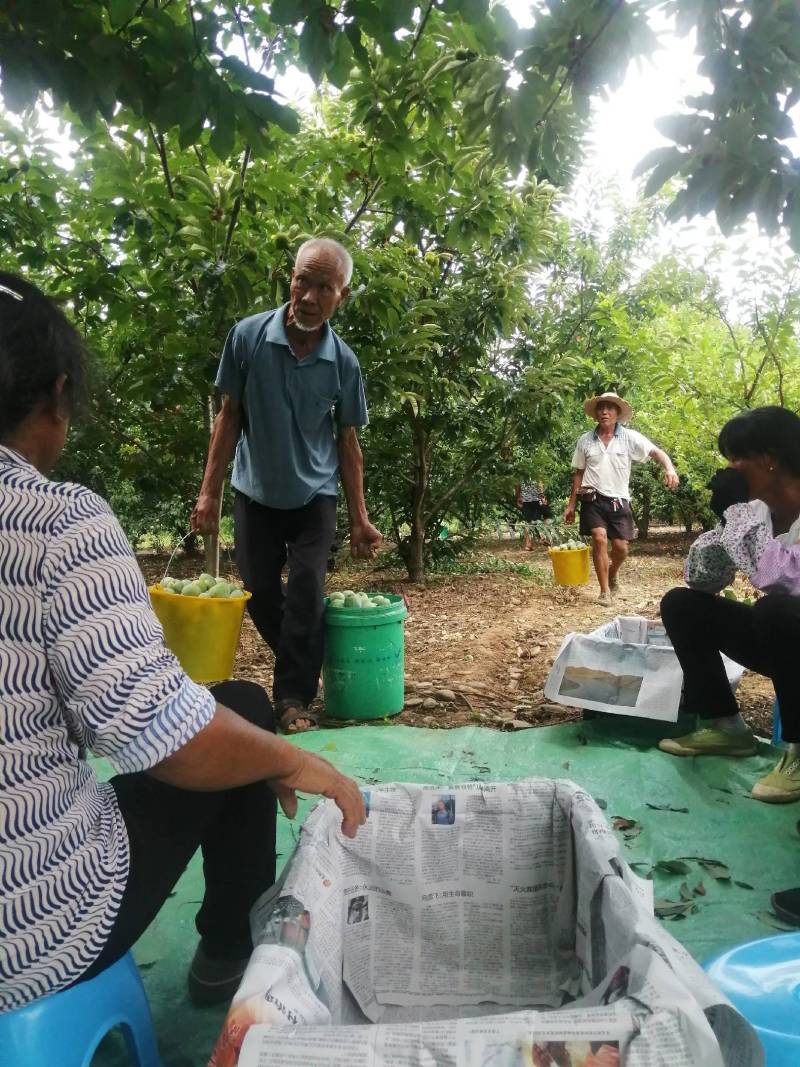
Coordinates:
(476, 926)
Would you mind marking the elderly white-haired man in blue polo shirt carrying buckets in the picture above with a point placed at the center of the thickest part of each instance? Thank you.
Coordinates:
(293, 400)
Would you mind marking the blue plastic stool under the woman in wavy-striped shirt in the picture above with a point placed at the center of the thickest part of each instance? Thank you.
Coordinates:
(67, 1028)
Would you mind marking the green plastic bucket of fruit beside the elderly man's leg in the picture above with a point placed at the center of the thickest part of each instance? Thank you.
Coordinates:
(363, 673)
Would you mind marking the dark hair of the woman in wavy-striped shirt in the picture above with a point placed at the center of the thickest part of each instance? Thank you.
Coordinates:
(38, 345)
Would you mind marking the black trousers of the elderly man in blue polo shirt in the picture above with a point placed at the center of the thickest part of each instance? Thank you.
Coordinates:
(291, 619)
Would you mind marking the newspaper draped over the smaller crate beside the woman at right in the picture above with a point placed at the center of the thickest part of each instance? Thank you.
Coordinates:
(626, 667)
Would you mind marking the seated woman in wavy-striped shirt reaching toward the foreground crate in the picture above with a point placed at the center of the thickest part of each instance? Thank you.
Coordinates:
(85, 866)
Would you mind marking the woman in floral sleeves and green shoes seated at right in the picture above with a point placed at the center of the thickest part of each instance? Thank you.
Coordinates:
(759, 499)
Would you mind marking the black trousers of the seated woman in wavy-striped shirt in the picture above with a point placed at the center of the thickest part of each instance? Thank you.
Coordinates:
(235, 829)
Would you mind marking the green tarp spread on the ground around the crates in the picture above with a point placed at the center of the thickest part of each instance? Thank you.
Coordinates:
(614, 758)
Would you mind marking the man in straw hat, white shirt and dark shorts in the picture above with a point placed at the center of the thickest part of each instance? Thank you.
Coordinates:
(602, 484)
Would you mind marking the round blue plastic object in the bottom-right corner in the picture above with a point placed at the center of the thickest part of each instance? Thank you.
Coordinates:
(762, 981)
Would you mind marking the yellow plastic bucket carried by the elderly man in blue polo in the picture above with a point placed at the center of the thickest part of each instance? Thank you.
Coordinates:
(204, 634)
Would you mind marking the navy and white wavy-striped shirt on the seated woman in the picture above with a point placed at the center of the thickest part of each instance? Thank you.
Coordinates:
(83, 666)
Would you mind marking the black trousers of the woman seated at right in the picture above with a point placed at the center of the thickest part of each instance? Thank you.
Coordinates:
(764, 638)
